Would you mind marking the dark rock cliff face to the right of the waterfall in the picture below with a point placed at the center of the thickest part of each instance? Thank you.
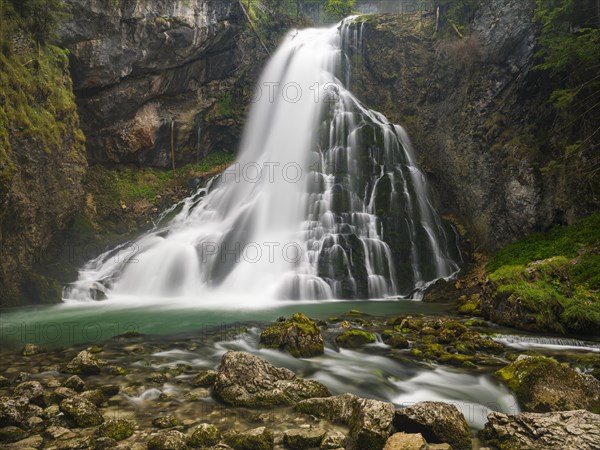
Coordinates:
(478, 116)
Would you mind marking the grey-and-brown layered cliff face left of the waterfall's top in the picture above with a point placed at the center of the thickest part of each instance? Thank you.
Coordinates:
(152, 75)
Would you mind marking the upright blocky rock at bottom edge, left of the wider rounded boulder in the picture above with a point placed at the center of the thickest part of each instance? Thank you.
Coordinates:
(371, 423)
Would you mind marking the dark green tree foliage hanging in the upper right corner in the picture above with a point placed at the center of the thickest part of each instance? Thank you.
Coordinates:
(570, 56)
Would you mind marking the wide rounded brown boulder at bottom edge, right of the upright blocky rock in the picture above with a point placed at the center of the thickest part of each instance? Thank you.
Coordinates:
(438, 422)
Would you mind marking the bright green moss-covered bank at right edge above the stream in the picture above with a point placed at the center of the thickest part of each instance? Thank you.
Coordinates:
(555, 276)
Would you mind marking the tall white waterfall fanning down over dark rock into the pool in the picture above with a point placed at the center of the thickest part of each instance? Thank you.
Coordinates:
(324, 201)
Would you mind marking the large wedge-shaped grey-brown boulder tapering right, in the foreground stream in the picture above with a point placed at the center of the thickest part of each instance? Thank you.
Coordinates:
(247, 380)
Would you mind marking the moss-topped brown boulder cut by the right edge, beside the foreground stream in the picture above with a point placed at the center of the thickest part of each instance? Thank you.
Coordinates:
(543, 385)
